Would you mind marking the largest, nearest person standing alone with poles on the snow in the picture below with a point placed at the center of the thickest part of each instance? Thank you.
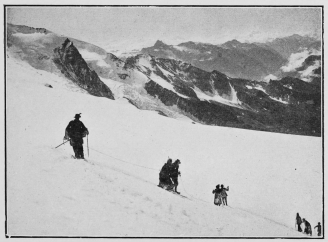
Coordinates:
(75, 131)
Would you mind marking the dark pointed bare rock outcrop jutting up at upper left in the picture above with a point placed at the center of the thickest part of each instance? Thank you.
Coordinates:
(73, 66)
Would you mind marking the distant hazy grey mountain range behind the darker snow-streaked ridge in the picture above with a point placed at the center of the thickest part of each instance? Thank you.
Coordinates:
(252, 61)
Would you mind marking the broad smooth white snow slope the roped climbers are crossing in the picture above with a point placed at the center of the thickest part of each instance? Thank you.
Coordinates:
(271, 176)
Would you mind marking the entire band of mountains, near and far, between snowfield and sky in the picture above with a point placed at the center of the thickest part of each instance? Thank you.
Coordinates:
(208, 84)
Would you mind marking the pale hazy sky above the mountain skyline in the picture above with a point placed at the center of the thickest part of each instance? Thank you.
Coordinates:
(132, 27)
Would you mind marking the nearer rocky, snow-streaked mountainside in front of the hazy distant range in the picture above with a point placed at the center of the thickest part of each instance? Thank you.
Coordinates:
(171, 87)
